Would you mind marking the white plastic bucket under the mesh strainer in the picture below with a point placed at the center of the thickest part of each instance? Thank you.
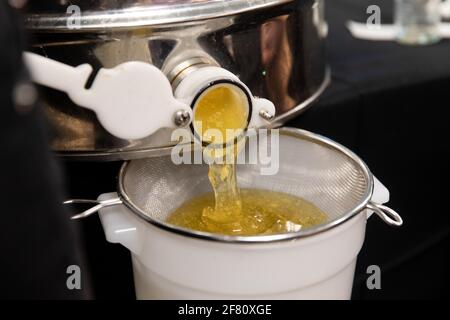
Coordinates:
(174, 266)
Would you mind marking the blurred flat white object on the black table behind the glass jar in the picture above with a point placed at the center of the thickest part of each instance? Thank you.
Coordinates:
(385, 32)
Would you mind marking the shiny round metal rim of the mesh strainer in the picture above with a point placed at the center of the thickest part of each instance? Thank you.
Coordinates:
(293, 132)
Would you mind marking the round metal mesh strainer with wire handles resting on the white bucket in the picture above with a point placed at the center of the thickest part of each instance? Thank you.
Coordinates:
(310, 166)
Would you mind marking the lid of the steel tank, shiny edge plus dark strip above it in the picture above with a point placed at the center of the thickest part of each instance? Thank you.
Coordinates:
(91, 15)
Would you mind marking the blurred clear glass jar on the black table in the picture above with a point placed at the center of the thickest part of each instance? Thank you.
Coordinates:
(417, 21)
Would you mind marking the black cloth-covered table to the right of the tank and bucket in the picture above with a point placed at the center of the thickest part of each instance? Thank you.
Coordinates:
(388, 103)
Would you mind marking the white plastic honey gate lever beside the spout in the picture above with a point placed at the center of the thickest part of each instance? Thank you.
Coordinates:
(131, 101)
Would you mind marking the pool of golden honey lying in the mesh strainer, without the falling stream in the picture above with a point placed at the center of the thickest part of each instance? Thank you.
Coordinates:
(262, 212)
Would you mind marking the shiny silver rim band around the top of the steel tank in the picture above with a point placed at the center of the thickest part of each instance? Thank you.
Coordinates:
(101, 18)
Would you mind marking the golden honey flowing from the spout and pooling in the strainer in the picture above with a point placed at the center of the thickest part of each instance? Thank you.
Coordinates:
(229, 210)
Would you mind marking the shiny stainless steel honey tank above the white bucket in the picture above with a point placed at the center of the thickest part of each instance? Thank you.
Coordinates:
(275, 47)
